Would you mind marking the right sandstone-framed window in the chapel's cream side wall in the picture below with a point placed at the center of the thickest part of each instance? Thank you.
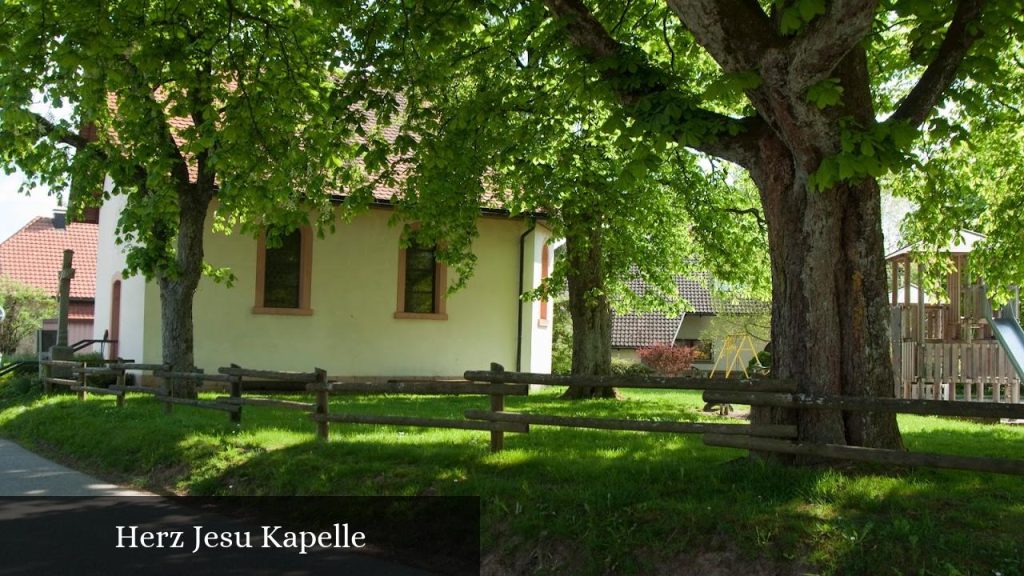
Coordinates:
(422, 281)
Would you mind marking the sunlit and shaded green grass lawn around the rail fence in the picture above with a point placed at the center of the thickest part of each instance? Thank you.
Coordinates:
(575, 502)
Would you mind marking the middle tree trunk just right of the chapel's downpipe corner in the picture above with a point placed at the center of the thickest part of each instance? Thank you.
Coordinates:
(591, 313)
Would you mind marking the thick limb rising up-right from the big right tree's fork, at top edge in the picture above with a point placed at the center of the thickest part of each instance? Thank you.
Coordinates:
(829, 38)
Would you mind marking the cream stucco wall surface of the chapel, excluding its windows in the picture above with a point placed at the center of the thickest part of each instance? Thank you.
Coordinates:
(353, 331)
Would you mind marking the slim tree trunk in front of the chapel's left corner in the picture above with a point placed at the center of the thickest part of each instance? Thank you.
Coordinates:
(178, 293)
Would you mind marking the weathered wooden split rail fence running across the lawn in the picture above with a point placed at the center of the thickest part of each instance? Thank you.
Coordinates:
(497, 384)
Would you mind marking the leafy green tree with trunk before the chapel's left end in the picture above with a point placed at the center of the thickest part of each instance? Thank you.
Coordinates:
(184, 103)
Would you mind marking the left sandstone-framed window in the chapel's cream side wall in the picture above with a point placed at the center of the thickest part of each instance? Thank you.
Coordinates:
(283, 274)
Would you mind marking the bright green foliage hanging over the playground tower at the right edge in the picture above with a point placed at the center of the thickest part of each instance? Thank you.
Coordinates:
(971, 177)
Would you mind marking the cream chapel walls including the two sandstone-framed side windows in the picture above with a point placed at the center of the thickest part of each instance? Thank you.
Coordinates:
(352, 303)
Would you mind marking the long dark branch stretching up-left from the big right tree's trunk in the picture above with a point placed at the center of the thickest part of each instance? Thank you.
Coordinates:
(633, 79)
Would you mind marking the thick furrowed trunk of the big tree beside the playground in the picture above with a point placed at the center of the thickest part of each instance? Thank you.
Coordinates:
(830, 306)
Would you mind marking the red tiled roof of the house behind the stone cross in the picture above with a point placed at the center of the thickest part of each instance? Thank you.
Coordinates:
(35, 254)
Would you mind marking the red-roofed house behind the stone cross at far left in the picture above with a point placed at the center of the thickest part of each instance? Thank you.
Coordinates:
(34, 256)
